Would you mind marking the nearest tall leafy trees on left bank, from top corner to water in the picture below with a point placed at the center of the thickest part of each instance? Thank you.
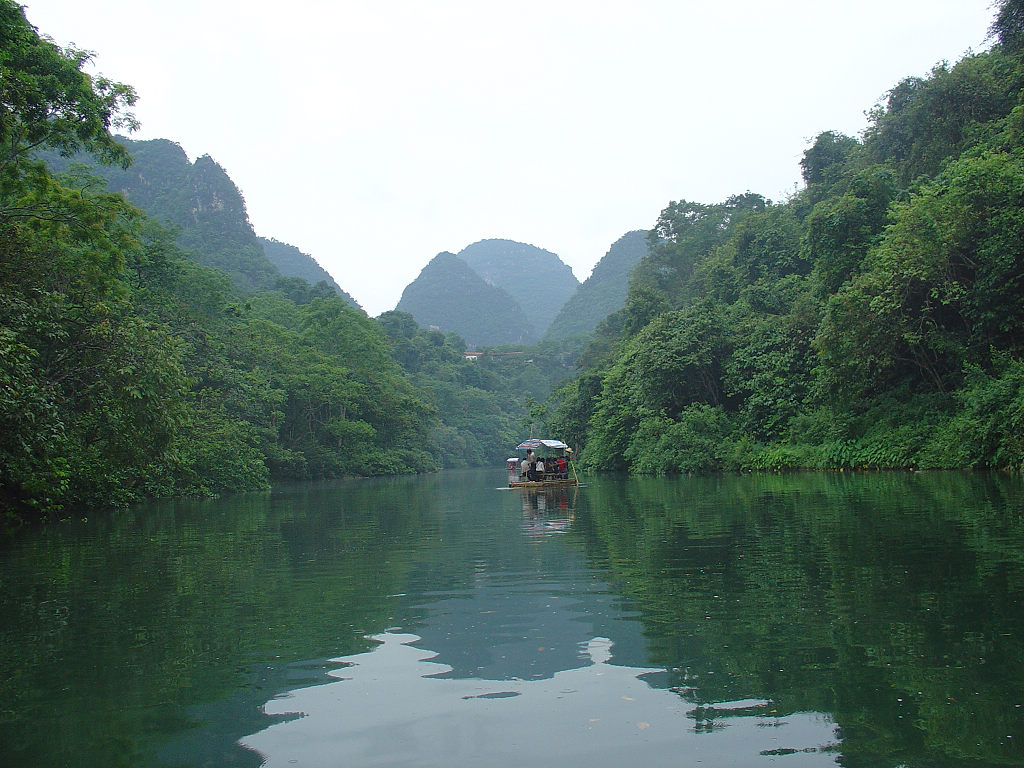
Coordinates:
(94, 394)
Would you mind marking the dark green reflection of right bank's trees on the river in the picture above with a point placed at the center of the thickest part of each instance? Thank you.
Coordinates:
(886, 600)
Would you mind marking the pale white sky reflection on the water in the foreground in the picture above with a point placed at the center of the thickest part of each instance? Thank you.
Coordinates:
(398, 706)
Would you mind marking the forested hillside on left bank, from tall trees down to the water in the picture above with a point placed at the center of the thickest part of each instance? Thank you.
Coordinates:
(127, 368)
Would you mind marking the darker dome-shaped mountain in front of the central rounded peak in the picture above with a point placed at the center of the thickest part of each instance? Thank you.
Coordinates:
(450, 295)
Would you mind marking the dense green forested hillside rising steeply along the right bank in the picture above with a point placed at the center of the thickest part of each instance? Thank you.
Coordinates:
(874, 320)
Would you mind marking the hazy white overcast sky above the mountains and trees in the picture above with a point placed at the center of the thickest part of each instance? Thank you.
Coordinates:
(374, 135)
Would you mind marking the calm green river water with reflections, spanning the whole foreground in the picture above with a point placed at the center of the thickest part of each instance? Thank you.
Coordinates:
(741, 621)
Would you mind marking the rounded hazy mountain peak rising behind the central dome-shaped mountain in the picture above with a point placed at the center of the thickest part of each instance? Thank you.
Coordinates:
(539, 281)
